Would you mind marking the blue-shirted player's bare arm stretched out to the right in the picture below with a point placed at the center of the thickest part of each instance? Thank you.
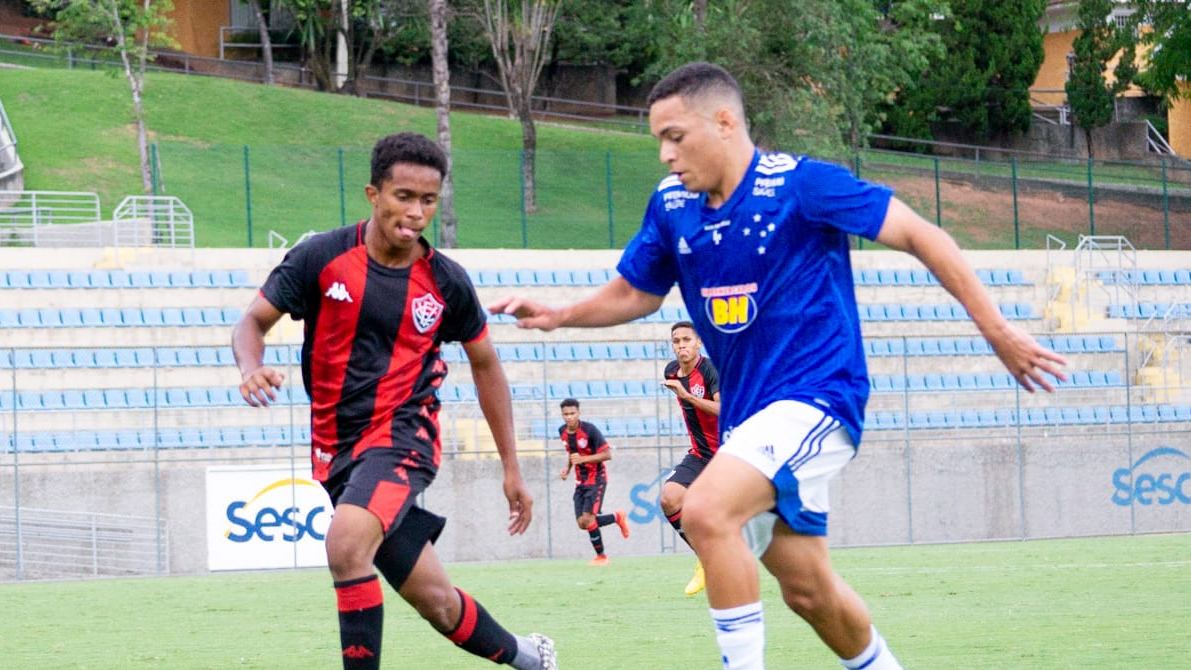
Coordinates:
(1028, 361)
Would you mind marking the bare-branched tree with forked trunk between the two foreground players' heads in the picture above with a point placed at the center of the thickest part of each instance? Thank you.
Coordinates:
(520, 35)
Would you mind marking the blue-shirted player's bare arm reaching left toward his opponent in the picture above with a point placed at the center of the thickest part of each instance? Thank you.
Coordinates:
(615, 303)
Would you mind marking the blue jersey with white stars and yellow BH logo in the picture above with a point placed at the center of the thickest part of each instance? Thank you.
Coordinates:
(768, 280)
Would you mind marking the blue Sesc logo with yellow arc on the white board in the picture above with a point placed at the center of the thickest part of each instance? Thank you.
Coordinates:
(271, 516)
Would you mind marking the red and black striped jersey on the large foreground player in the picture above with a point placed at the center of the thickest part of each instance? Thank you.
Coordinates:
(371, 359)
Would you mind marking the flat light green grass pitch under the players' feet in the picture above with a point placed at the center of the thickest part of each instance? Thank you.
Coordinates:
(1090, 604)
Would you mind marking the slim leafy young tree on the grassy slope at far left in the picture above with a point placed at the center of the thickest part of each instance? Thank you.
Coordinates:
(133, 28)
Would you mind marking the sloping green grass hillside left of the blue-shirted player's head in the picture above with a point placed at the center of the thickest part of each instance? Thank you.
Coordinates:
(291, 161)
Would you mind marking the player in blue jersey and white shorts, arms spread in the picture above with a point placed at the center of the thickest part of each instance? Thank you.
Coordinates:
(758, 245)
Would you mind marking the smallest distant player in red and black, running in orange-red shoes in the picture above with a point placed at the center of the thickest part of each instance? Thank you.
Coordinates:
(588, 452)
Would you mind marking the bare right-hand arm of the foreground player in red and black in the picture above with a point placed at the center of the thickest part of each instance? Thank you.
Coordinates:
(496, 404)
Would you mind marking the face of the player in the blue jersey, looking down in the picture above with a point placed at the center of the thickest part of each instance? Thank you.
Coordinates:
(690, 143)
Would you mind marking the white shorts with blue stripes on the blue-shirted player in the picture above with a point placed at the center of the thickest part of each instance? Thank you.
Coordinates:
(800, 448)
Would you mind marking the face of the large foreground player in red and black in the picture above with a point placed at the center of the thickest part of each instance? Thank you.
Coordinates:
(406, 204)
